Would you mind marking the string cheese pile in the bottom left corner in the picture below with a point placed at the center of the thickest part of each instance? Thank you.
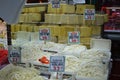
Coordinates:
(11, 72)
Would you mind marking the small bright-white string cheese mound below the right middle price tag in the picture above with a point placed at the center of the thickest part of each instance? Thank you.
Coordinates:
(74, 50)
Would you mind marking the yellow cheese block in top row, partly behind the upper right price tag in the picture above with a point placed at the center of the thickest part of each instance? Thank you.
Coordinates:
(81, 8)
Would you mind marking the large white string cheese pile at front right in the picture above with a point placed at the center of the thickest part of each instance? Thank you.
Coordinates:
(92, 64)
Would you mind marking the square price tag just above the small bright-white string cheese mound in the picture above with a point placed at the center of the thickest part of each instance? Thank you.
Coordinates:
(73, 38)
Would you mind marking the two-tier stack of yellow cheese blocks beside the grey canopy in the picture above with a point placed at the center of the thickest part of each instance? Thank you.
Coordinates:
(31, 14)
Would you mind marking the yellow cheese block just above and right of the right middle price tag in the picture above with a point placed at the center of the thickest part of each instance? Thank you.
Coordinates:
(85, 31)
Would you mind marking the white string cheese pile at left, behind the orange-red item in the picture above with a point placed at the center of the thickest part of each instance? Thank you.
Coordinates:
(33, 50)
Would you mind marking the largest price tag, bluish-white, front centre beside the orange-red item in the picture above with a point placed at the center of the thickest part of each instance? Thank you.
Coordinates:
(57, 63)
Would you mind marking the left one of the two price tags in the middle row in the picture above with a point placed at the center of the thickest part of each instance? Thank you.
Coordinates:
(44, 34)
